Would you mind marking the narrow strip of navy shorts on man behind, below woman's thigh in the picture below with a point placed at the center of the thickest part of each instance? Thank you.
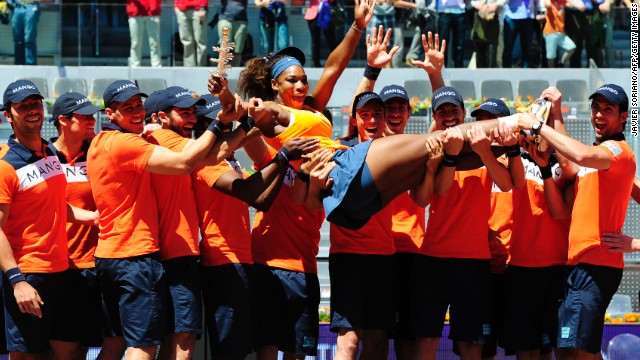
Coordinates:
(404, 288)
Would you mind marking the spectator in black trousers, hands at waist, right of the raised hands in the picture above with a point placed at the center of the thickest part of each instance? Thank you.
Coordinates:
(486, 31)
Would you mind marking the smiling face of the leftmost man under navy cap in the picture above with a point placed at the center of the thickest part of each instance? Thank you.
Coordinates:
(27, 116)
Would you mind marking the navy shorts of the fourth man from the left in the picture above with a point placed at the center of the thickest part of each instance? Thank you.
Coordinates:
(184, 302)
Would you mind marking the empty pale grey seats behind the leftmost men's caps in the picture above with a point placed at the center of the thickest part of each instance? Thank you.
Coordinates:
(65, 84)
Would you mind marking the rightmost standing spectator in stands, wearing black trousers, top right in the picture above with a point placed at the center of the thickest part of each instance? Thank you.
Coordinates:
(585, 26)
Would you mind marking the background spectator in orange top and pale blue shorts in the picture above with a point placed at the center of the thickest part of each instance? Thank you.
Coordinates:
(554, 35)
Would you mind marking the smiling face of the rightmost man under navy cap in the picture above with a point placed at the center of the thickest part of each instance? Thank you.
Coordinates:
(606, 118)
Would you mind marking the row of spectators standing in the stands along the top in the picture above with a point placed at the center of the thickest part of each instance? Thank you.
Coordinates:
(550, 33)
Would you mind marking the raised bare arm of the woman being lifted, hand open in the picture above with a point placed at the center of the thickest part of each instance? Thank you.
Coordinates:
(340, 57)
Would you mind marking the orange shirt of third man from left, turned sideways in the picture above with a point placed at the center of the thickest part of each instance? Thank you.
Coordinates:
(123, 195)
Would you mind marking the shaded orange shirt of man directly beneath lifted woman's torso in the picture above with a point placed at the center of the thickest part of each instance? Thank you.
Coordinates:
(287, 236)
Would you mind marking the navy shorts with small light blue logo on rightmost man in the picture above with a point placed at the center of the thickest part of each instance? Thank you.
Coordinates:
(589, 289)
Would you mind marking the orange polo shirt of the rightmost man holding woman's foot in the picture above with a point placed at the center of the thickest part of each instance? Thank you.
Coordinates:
(602, 197)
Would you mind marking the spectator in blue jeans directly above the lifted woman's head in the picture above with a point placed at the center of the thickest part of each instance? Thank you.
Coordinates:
(273, 23)
